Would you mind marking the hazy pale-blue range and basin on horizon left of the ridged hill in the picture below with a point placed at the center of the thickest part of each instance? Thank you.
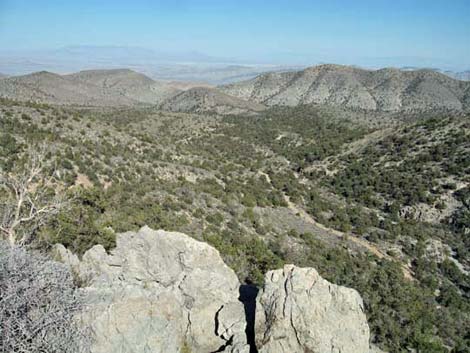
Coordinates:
(160, 65)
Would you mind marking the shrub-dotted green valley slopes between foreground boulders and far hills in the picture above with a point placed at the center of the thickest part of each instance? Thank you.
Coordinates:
(381, 209)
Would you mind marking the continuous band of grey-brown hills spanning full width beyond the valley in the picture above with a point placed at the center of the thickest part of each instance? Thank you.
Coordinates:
(385, 90)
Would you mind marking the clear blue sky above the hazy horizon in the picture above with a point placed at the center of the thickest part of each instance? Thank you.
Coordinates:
(281, 31)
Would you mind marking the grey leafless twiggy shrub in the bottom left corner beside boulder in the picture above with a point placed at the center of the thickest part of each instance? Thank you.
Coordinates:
(39, 304)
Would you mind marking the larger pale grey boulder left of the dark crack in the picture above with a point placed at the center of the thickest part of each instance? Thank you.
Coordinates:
(160, 292)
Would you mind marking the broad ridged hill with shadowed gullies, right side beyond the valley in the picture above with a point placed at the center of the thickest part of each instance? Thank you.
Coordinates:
(388, 90)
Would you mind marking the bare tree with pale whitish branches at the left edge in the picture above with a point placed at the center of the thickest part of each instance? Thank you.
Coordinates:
(28, 195)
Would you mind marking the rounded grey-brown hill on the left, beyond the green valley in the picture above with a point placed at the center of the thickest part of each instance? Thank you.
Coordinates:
(88, 88)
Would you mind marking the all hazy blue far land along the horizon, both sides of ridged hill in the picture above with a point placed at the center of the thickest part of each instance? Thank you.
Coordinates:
(180, 65)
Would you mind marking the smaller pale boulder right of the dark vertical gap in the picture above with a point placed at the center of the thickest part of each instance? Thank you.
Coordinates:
(299, 311)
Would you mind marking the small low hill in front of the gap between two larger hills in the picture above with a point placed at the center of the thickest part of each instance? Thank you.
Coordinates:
(202, 99)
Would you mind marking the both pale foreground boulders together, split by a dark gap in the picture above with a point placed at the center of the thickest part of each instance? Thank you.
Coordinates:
(165, 292)
